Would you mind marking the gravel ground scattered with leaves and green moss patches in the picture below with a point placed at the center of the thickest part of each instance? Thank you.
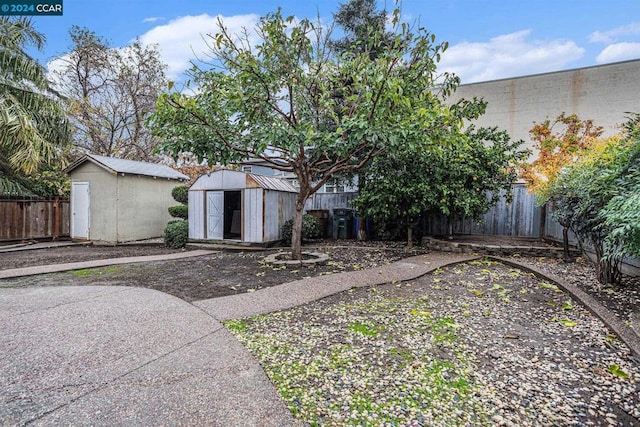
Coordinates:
(473, 344)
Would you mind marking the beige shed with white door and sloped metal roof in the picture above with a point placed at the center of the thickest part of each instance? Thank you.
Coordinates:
(116, 200)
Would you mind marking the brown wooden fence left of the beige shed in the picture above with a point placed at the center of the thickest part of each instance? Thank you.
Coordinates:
(25, 219)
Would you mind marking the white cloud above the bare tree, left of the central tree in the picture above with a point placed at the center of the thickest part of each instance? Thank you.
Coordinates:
(183, 39)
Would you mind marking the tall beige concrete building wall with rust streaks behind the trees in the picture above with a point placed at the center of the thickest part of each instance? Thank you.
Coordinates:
(604, 93)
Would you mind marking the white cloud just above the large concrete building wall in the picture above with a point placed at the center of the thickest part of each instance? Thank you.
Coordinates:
(508, 55)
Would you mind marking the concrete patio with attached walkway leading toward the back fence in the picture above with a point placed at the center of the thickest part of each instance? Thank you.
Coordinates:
(132, 356)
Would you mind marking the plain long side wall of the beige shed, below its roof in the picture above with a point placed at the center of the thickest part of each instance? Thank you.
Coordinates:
(142, 207)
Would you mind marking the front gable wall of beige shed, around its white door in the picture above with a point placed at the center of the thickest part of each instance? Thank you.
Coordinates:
(102, 197)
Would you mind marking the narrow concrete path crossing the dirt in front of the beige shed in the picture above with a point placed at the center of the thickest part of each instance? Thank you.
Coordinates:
(55, 268)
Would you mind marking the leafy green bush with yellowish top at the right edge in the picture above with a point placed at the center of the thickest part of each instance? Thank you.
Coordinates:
(598, 197)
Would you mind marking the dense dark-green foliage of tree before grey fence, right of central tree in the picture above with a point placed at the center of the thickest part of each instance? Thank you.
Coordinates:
(452, 177)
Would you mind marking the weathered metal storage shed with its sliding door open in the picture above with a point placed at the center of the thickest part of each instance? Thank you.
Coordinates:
(238, 206)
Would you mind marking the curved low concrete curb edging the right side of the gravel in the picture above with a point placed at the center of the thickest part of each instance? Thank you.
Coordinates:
(624, 332)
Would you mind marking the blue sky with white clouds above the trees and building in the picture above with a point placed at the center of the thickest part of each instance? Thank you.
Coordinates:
(489, 39)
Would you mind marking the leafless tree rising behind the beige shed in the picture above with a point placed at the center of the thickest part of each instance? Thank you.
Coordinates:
(110, 94)
